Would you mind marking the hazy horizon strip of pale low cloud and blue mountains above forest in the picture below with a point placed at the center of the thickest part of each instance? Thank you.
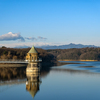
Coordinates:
(47, 46)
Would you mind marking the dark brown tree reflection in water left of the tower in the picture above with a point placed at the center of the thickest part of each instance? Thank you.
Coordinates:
(12, 73)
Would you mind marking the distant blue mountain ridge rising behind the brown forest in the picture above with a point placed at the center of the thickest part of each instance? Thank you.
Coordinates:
(71, 45)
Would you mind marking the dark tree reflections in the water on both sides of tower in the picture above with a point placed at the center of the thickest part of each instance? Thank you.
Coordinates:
(10, 73)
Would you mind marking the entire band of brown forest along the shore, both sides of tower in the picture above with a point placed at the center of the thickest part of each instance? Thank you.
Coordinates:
(52, 55)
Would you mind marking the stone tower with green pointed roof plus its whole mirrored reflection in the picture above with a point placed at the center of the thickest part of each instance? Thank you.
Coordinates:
(33, 71)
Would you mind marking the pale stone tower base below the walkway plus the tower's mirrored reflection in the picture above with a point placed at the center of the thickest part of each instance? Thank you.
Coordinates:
(33, 78)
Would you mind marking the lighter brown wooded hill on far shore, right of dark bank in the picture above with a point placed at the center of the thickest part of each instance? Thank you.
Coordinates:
(77, 54)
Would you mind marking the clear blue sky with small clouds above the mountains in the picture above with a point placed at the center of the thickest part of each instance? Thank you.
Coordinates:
(49, 22)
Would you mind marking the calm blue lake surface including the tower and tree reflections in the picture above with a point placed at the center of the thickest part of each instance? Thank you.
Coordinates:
(65, 82)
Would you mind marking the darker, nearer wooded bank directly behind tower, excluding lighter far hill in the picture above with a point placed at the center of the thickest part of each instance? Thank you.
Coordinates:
(20, 54)
